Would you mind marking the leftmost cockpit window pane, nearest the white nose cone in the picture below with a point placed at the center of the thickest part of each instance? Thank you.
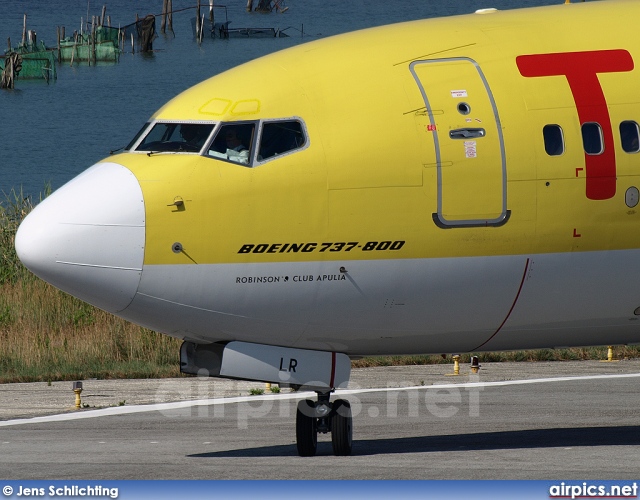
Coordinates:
(176, 137)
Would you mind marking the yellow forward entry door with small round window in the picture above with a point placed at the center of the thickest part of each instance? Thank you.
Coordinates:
(470, 157)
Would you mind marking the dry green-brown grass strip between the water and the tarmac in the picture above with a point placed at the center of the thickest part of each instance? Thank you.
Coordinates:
(47, 335)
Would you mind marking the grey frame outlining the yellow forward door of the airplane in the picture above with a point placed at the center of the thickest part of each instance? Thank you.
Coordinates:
(438, 217)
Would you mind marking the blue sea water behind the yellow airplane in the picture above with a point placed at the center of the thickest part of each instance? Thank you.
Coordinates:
(49, 133)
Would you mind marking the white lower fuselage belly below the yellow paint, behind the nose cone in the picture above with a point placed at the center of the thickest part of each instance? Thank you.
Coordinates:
(399, 306)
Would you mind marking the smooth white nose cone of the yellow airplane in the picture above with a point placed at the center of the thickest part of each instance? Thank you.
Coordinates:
(87, 238)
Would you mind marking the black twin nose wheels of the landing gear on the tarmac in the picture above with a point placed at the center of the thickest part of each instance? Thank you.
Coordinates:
(323, 416)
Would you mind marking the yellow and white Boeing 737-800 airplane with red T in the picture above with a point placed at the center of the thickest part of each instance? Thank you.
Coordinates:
(438, 186)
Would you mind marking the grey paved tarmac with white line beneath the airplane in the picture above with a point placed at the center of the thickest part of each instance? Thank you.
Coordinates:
(561, 420)
